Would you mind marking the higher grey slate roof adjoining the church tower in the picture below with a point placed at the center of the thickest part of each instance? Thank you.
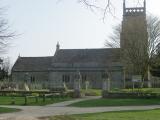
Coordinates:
(86, 55)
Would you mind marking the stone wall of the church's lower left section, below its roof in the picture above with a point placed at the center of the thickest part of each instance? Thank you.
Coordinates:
(35, 80)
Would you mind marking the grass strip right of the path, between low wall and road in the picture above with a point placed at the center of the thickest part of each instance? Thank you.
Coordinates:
(116, 102)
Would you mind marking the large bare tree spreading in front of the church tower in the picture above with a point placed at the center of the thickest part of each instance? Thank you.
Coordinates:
(138, 56)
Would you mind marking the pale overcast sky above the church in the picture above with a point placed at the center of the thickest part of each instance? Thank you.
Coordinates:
(41, 23)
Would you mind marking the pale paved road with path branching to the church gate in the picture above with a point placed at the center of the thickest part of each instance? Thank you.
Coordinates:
(33, 112)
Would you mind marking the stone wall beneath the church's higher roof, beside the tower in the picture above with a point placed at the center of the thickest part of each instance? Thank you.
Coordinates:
(57, 79)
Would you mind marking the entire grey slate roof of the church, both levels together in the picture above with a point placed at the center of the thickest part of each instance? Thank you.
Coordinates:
(69, 58)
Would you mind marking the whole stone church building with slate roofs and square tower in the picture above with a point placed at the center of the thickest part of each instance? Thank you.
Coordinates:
(94, 65)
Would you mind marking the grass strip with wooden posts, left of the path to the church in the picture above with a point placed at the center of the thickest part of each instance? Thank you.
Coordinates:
(7, 100)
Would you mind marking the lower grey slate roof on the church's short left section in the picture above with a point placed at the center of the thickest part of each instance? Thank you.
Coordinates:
(32, 64)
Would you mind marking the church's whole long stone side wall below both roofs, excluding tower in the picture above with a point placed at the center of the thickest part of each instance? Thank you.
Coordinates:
(39, 80)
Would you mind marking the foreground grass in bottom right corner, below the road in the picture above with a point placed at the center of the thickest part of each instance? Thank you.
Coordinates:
(124, 115)
